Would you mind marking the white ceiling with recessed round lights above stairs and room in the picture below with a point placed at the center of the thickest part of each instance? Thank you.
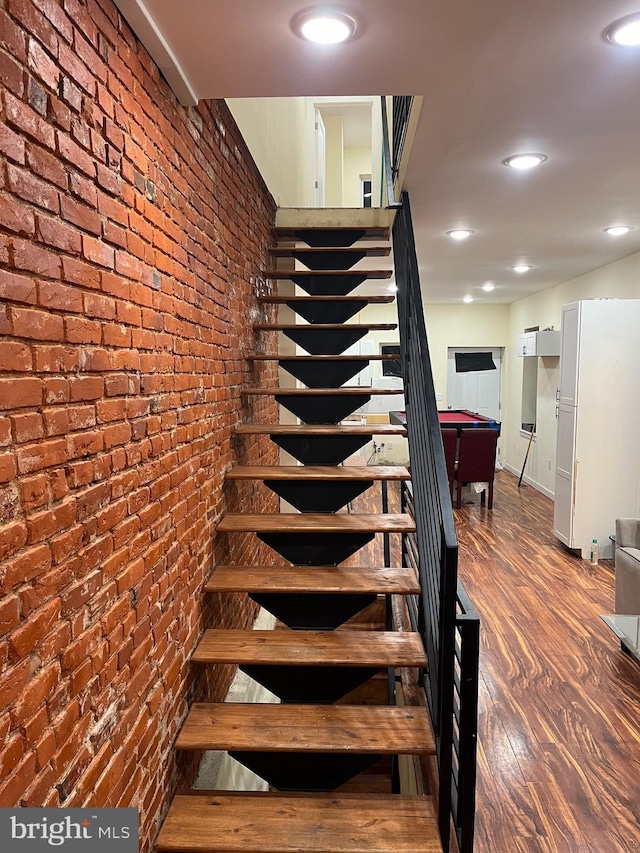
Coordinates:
(498, 77)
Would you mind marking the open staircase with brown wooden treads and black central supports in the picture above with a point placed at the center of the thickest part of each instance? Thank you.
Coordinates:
(334, 648)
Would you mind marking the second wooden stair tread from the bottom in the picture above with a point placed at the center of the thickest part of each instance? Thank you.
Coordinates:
(257, 727)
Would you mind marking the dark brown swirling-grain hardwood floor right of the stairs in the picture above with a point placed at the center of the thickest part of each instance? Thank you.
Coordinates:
(559, 707)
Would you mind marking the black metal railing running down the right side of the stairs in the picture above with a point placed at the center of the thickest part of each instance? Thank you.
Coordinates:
(441, 612)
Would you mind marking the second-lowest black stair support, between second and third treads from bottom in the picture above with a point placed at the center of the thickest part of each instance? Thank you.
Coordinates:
(322, 685)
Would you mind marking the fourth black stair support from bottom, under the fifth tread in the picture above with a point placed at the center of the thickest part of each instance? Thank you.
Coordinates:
(316, 549)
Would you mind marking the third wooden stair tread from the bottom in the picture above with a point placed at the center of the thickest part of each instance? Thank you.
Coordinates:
(283, 647)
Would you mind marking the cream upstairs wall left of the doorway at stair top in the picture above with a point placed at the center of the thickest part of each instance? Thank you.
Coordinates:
(275, 130)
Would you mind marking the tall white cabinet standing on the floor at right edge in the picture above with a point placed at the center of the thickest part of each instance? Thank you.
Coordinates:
(598, 450)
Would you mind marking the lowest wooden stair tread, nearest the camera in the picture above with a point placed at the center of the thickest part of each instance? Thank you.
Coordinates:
(228, 822)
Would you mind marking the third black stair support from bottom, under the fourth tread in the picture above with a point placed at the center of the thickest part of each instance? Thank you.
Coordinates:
(313, 612)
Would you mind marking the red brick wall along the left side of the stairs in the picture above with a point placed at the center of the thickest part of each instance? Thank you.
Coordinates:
(130, 230)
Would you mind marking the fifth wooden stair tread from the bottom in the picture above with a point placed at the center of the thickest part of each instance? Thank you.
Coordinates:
(312, 522)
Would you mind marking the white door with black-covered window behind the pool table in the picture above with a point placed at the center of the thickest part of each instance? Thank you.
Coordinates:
(477, 391)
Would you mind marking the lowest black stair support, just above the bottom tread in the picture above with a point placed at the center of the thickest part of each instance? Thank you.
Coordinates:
(310, 771)
